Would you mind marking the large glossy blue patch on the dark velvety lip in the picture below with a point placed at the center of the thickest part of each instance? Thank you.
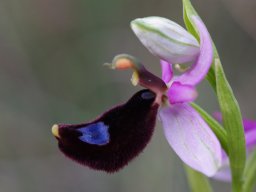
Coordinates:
(96, 134)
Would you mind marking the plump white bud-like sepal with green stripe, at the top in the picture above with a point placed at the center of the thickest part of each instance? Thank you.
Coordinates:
(166, 39)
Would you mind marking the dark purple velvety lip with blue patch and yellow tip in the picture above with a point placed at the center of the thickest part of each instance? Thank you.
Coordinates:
(111, 141)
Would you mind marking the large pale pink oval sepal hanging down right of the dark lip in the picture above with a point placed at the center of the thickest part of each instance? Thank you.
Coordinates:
(191, 138)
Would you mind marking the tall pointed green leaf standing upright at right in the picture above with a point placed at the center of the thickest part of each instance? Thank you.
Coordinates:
(232, 121)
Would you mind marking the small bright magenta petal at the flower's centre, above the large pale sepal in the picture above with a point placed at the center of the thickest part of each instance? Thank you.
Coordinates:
(179, 93)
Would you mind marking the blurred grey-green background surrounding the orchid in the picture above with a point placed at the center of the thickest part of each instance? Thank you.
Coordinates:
(51, 56)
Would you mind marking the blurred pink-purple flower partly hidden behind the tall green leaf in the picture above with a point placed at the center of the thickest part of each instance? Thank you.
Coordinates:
(224, 173)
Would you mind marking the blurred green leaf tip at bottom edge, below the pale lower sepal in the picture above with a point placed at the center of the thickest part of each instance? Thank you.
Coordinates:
(197, 181)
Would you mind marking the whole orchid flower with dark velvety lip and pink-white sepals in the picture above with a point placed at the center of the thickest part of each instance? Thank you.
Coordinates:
(109, 142)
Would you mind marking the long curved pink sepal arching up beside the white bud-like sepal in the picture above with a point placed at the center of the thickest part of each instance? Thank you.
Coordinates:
(200, 68)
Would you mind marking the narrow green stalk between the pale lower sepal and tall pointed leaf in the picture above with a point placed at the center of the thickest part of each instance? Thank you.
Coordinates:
(218, 130)
